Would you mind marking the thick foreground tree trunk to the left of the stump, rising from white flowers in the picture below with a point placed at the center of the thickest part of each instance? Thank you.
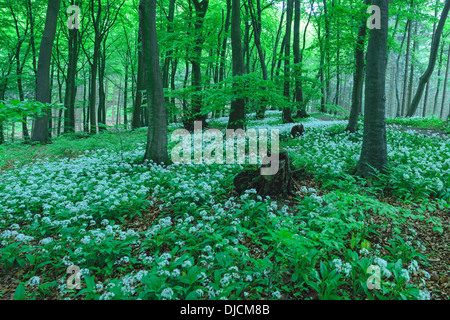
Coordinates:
(156, 149)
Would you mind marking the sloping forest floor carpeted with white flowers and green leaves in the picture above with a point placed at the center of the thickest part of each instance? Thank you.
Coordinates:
(181, 232)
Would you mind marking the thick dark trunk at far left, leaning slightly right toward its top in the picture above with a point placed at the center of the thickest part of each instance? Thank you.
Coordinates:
(40, 128)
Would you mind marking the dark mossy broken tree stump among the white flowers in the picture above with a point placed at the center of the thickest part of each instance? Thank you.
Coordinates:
(282, 183)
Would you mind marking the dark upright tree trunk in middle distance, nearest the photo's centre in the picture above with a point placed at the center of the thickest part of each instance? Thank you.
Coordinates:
(237, 113)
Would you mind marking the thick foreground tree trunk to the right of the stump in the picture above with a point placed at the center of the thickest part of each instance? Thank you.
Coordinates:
(374, 147)
